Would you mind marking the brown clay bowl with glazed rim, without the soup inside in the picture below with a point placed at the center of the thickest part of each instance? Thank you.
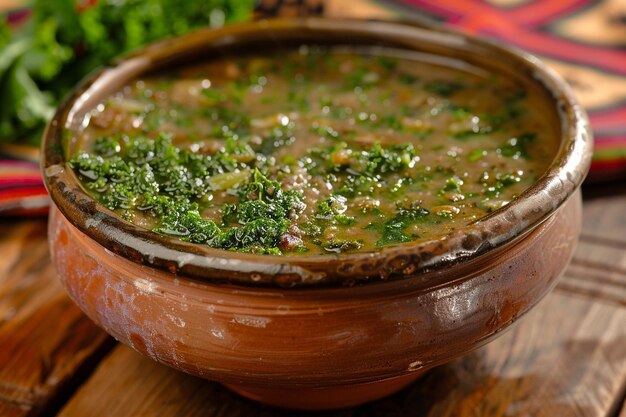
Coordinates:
(316, 332)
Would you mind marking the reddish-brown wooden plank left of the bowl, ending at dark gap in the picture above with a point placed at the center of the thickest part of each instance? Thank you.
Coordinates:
(46, 343)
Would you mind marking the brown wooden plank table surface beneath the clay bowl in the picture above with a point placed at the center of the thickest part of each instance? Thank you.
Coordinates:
(566, 358)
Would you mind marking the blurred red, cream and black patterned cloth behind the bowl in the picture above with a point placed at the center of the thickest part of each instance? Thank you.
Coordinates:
(584, 40)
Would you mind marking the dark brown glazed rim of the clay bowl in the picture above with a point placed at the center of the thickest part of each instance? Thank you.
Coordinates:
(493, 232)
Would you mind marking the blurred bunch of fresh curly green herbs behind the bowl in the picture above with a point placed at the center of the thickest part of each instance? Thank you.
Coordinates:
(65, 40)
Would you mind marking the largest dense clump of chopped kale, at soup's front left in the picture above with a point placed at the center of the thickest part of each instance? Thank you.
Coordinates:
(154, 175)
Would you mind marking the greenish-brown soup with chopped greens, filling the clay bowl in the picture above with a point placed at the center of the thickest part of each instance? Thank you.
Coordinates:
(319, 150)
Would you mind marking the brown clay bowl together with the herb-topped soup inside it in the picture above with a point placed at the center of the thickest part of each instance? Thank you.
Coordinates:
(314, 212)
